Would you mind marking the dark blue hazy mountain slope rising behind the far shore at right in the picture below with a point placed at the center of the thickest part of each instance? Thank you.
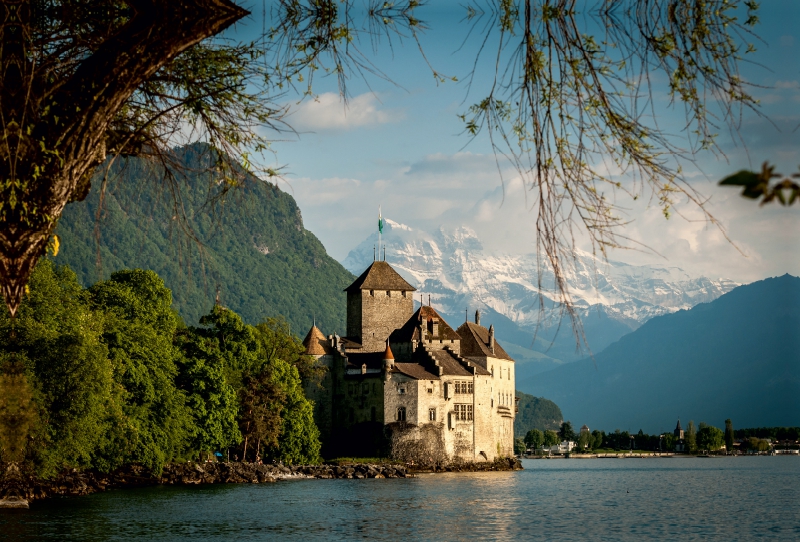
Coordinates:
(736, 357)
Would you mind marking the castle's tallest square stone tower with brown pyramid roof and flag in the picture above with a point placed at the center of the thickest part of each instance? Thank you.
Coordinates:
(378, 302)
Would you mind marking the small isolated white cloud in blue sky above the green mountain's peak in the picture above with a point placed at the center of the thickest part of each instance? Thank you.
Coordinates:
(328, 112)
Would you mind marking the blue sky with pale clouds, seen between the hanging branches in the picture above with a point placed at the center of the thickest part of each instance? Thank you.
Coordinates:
(400, 144)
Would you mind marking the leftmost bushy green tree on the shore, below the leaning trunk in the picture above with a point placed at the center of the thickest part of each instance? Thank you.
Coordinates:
(56, 343)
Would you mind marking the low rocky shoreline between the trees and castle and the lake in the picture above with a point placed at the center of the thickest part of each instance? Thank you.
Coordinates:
(74, 483)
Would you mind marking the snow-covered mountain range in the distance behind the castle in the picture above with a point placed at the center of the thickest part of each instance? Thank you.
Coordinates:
(454, 268)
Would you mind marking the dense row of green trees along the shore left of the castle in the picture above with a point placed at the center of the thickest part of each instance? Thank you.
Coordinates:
(115, 378)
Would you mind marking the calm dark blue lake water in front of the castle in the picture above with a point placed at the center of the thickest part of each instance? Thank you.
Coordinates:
(597, 499)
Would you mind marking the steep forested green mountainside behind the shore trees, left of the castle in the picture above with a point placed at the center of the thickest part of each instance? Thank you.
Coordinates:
(252, 244)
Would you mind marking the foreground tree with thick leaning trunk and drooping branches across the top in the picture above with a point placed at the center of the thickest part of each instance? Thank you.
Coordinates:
(125, 78)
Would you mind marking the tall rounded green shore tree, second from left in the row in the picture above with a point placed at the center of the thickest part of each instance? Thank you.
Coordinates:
(138, 329)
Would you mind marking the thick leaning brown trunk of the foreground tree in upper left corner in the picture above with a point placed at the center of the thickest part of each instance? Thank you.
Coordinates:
(81, 80)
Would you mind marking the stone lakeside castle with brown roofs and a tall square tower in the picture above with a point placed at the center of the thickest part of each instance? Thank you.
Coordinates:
(401, 369)
